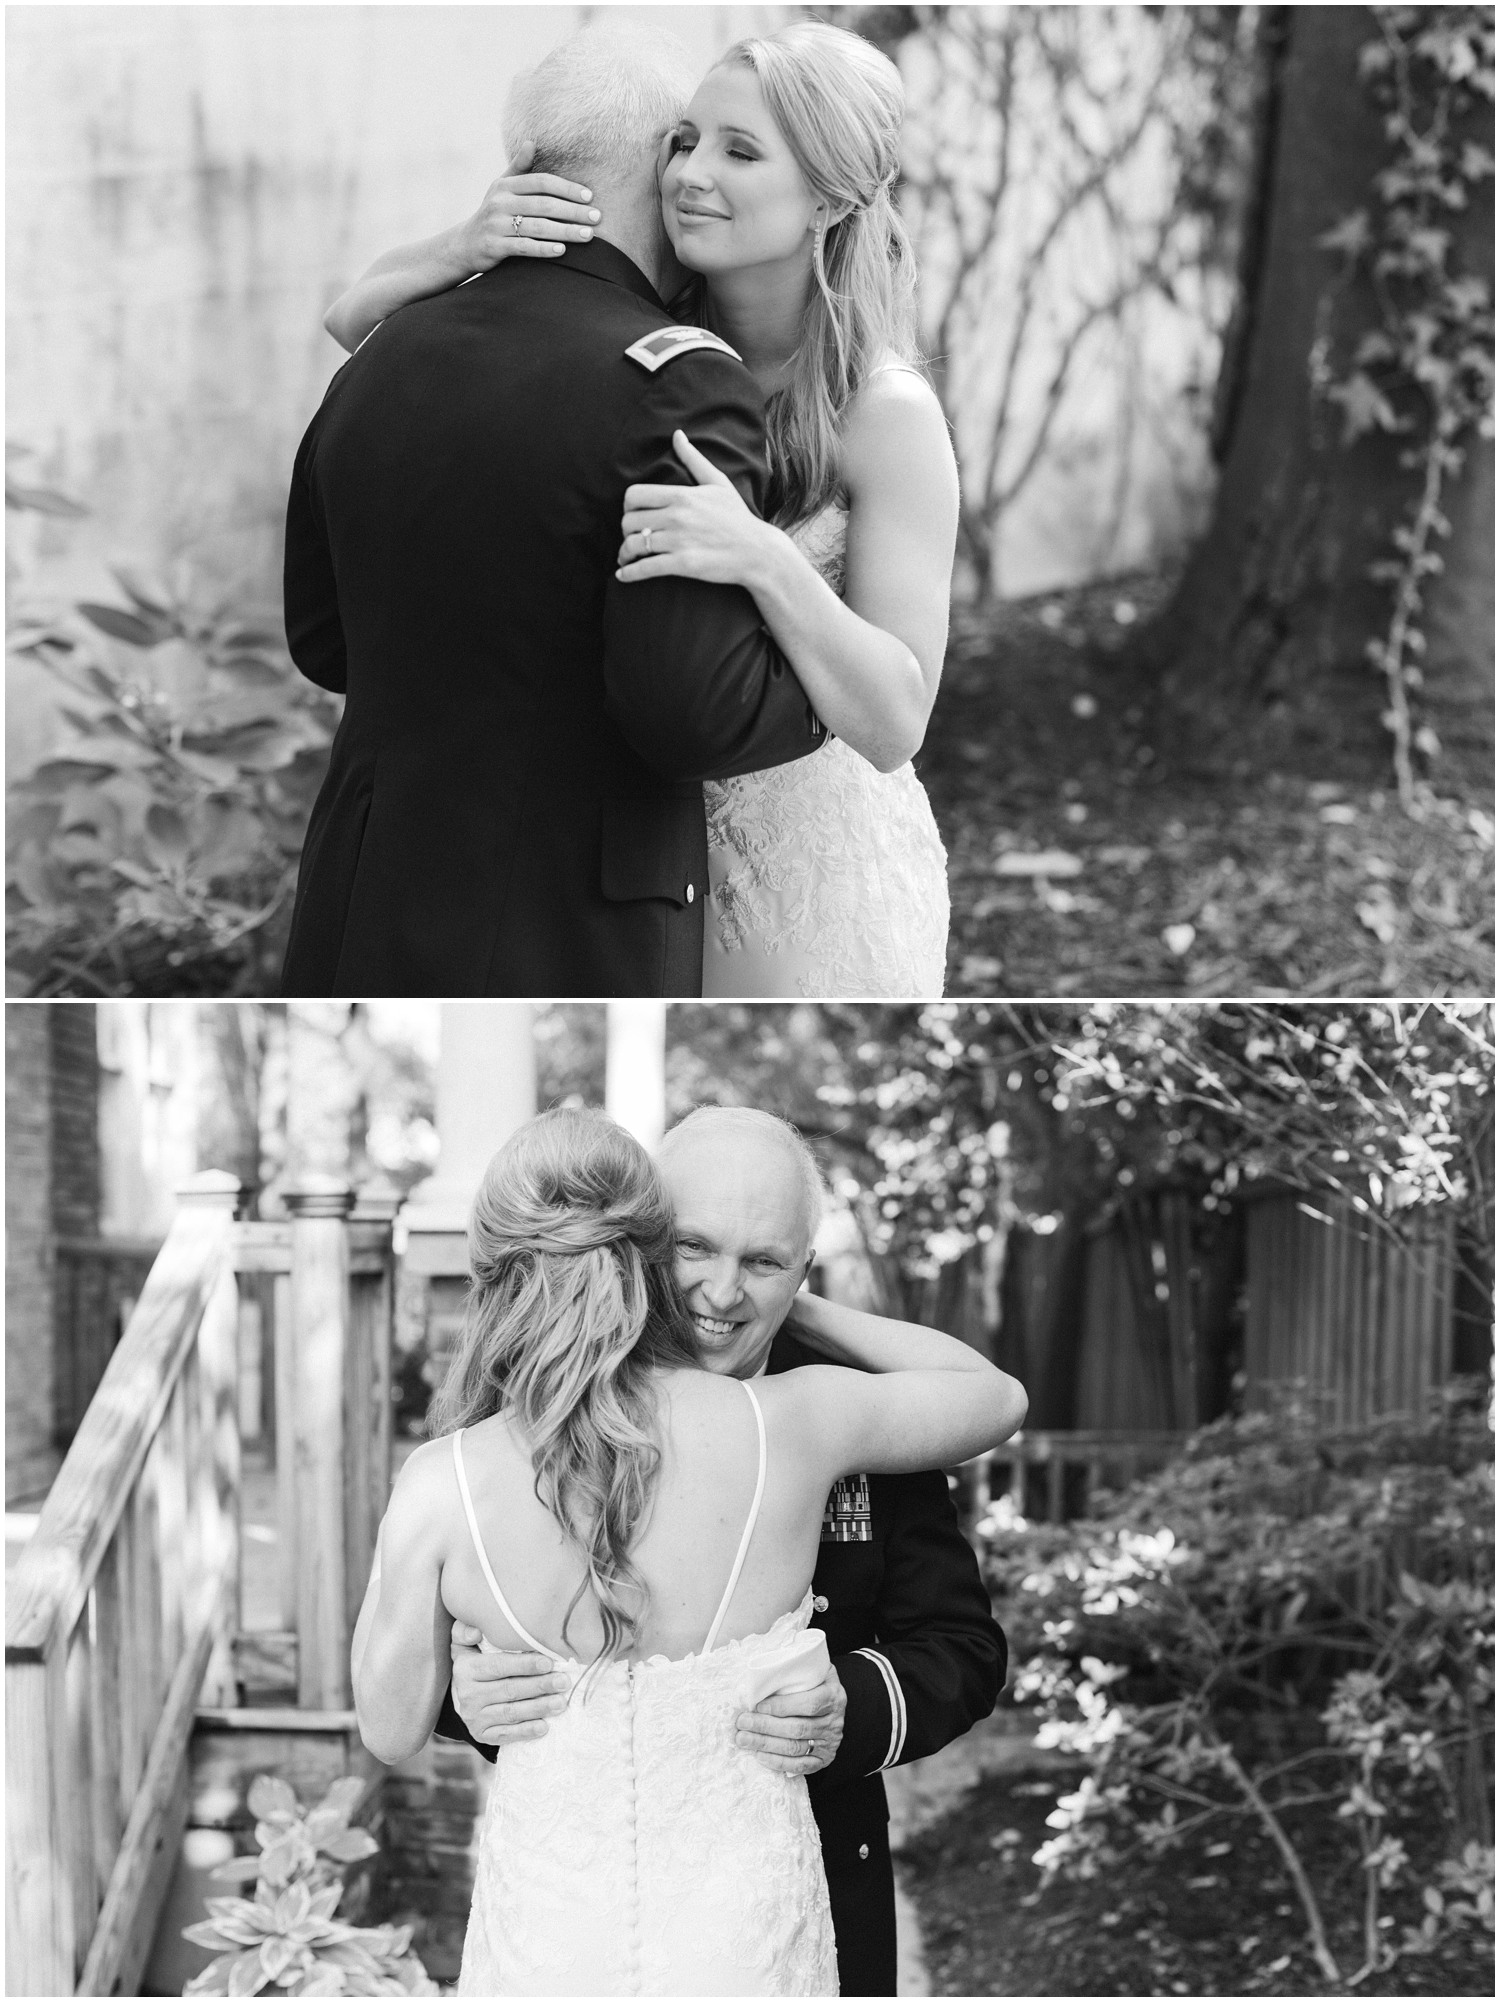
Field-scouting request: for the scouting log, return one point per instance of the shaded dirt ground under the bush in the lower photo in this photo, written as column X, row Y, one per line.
column 1215, row 1917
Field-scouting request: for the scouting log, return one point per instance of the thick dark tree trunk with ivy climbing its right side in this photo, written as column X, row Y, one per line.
column 1277, row 604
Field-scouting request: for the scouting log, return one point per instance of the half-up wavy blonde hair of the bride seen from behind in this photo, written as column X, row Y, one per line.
column 574, row 1306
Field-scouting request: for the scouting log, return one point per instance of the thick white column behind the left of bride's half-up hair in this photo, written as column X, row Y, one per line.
column 486, row 1088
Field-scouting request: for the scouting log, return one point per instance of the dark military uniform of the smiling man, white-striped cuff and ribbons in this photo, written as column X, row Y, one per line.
column 922, row 1661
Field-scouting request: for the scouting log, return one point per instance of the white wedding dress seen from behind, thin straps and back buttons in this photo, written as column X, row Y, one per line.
column 636, row 1851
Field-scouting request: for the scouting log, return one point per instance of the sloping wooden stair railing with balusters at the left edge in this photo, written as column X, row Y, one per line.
column 119, row 1615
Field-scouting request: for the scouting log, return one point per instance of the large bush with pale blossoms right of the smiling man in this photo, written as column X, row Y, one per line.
column 1281, row 1623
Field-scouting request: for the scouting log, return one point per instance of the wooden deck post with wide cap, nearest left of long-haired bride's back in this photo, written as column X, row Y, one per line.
column 321, row 1334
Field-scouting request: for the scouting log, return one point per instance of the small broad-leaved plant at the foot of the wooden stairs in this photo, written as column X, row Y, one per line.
column 287, row 1937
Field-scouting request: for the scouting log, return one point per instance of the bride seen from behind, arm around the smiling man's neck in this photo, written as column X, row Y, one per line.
column 654, row 1527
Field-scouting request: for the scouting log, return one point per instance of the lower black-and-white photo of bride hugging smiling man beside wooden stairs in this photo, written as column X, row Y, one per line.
column 614, row 1498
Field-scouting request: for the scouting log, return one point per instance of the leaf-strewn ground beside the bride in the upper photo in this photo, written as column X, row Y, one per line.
column 1253, row 874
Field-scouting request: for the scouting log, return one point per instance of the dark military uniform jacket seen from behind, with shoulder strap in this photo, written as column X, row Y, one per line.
column 514, row 802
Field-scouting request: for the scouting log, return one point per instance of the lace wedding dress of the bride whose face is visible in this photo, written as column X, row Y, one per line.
column 826, row 878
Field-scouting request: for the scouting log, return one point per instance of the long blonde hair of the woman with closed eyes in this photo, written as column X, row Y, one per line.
column 838, row 103
